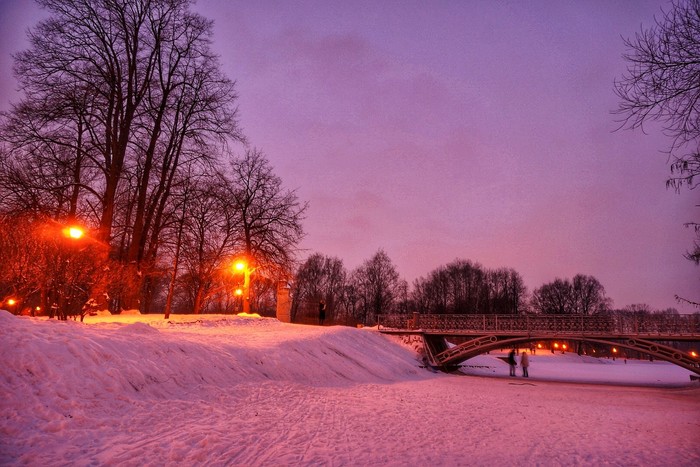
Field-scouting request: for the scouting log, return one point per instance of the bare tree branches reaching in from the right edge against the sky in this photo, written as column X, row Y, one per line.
column 661, row 84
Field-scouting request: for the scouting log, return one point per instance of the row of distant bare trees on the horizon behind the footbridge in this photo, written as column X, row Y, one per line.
column 460, row 287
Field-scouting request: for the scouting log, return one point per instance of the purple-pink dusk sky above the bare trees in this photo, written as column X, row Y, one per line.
column 442, row 130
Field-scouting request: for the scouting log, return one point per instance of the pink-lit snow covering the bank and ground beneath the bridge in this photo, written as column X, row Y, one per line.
column 215, row 390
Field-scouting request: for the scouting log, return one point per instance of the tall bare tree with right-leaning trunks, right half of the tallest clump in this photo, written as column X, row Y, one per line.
column 186, row 112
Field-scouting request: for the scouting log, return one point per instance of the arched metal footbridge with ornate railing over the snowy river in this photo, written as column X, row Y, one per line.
column 482, row 333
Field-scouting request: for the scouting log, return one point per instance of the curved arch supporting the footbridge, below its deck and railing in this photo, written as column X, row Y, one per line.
column 445, row 357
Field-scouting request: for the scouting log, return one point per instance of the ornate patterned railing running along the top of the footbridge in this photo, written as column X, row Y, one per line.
column 652, row 325
